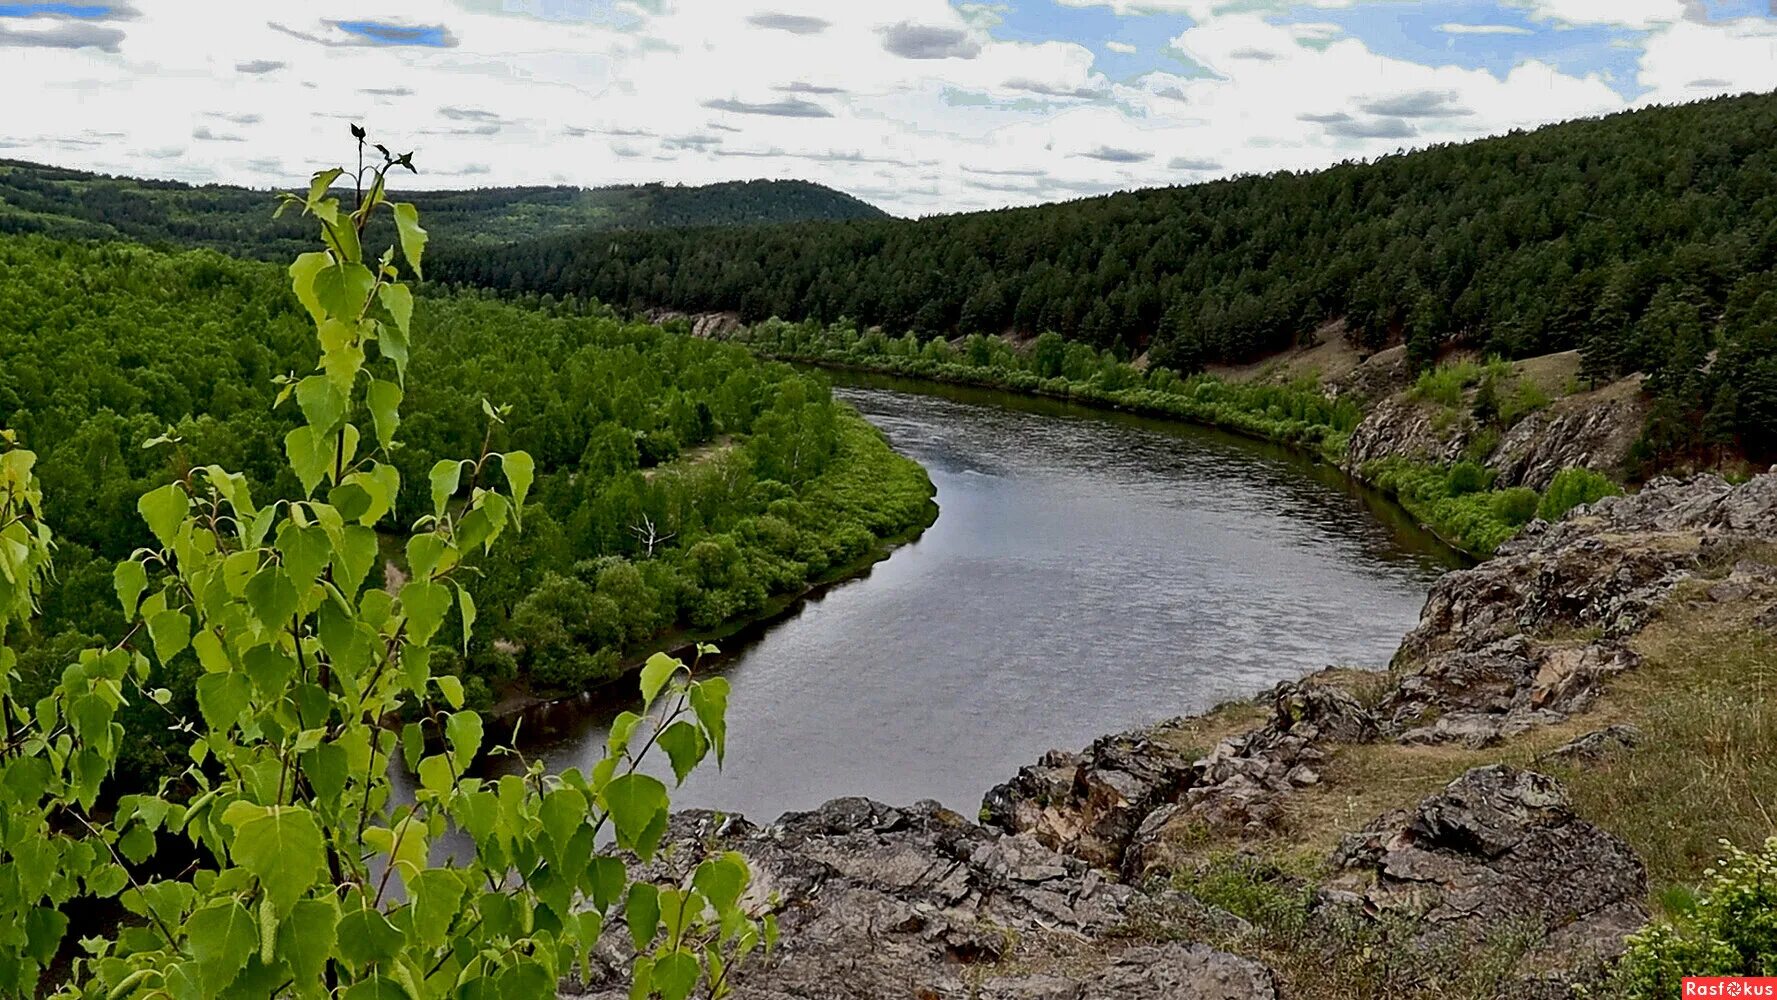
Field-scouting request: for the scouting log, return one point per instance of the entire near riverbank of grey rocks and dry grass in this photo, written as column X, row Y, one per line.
column 1552, row 761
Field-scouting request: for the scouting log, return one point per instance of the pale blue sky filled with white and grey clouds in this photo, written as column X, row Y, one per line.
column 916, row 106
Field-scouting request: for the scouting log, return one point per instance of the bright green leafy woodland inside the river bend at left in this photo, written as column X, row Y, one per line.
column 678, row 482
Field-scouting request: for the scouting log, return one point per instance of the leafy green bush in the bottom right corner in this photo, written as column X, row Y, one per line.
column 1730, row 930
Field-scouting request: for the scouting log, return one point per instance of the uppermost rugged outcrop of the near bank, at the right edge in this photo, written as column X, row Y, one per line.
column 1527, row 637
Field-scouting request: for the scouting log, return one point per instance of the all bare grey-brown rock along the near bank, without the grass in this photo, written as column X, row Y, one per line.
column 1065, row 893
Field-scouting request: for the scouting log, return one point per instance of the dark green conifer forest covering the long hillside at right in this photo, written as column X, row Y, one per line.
column 1648, row 241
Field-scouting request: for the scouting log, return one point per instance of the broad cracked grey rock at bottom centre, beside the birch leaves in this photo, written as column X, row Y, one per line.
column 918, row 903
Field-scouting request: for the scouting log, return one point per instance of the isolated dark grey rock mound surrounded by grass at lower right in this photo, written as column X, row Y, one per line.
column 1499, row 848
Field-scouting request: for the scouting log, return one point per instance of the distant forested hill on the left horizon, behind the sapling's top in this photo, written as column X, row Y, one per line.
column 235, row 221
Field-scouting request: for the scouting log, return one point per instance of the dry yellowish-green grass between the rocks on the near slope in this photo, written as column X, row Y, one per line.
column 1701, row 775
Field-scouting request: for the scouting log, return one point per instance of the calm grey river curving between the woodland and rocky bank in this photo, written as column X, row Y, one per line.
column 1088, row 573
